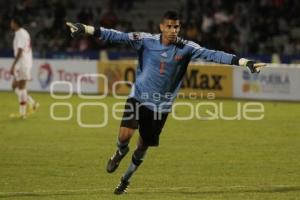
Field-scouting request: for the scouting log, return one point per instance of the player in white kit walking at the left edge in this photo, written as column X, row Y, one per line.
column 21, row 68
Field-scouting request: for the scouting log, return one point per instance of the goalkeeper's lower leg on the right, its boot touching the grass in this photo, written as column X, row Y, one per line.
column 137, row 159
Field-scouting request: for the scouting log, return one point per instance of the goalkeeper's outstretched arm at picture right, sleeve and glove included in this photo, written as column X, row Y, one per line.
column 198, row 52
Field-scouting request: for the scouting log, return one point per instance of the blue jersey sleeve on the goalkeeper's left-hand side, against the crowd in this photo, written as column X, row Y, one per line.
column 134, row 39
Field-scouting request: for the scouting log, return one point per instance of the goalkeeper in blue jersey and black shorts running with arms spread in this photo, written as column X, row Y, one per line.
column 163, row 60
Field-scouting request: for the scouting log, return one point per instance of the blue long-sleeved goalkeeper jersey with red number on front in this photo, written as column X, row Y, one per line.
column 160, row 68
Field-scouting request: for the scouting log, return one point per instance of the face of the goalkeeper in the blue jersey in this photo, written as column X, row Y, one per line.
column 170, row 30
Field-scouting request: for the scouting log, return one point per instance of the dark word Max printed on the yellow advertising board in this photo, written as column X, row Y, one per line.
column 196, row 80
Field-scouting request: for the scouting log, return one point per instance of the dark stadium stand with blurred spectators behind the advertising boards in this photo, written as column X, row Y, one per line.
column 224, row 25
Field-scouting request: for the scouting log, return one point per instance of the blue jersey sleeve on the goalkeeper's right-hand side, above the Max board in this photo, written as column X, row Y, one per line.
column 198, row 52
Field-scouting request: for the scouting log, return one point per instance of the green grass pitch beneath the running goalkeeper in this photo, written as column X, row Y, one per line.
column 41, row 158
